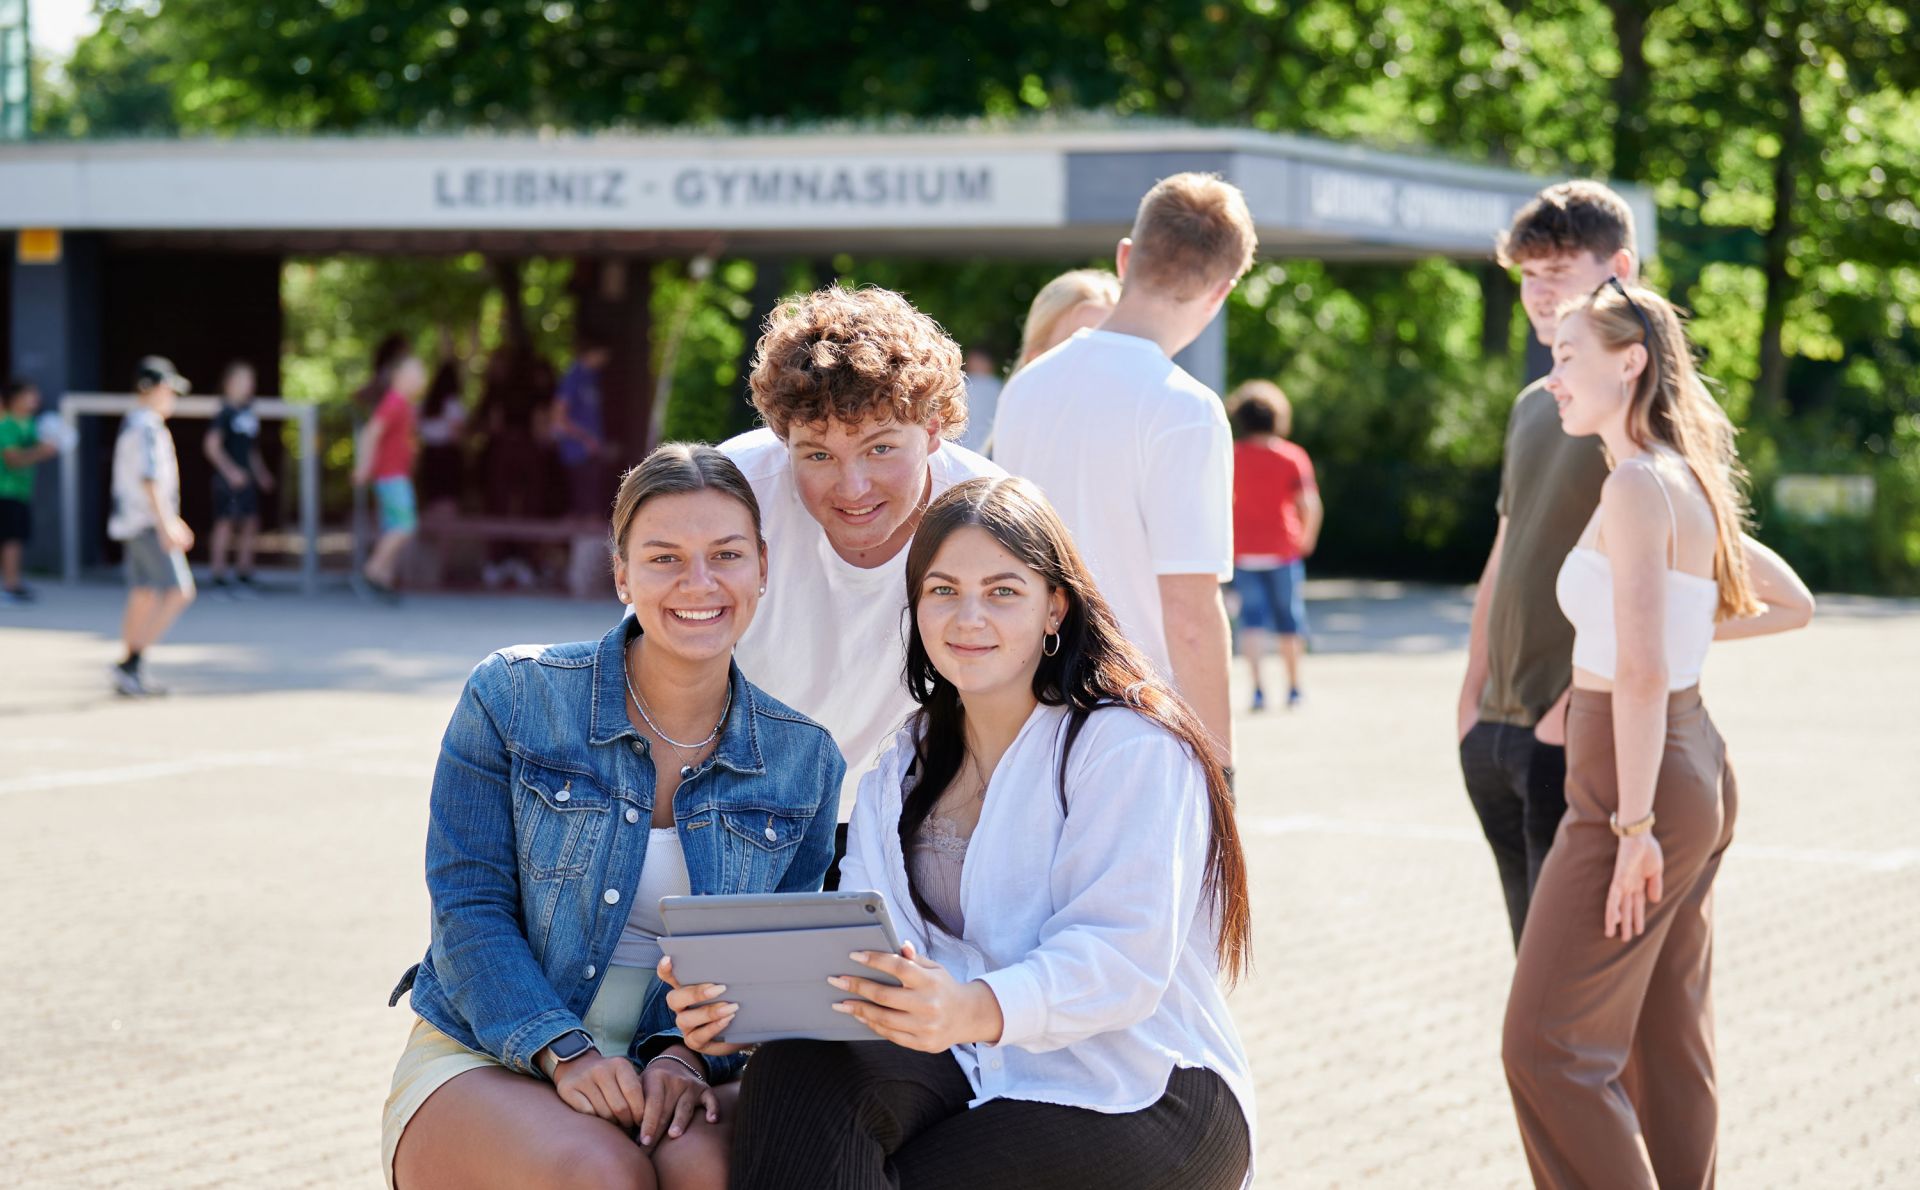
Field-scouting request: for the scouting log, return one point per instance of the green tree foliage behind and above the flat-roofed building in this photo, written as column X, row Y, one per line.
column 1783, row 141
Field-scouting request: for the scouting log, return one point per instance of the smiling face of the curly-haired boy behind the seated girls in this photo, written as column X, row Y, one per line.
column 865, row 483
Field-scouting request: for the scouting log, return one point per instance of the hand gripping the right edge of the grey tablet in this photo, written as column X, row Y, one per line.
column 928, row 1012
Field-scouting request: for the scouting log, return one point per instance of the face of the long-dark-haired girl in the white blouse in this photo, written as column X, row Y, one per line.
column 984, row 615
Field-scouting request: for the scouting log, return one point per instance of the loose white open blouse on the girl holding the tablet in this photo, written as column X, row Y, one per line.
column 1092, row 926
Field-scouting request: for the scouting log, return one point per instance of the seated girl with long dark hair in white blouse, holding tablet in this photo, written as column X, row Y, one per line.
column 1057, row 845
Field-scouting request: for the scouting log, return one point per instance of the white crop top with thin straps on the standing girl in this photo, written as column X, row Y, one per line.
column 1585, row 592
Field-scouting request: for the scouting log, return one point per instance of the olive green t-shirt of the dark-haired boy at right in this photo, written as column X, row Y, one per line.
column 1548, row 492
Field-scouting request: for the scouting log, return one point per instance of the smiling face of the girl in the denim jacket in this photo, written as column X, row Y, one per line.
column 692, row 569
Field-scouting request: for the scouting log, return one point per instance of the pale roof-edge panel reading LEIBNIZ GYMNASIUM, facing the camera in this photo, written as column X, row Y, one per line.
column 615, row 191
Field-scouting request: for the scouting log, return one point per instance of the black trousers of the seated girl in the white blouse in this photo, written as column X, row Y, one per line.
column 869, row 1116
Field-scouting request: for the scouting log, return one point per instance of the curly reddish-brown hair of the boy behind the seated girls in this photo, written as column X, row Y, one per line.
column 844, row 356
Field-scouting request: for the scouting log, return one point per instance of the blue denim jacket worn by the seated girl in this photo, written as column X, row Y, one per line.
column 539, row 832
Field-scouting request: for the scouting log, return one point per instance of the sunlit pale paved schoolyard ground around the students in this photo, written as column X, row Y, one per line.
column 208, row 897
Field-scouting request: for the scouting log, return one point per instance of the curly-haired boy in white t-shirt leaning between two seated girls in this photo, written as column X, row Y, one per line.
column 863, row 396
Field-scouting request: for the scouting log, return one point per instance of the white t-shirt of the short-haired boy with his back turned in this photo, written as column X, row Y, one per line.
column 1138, row 460
